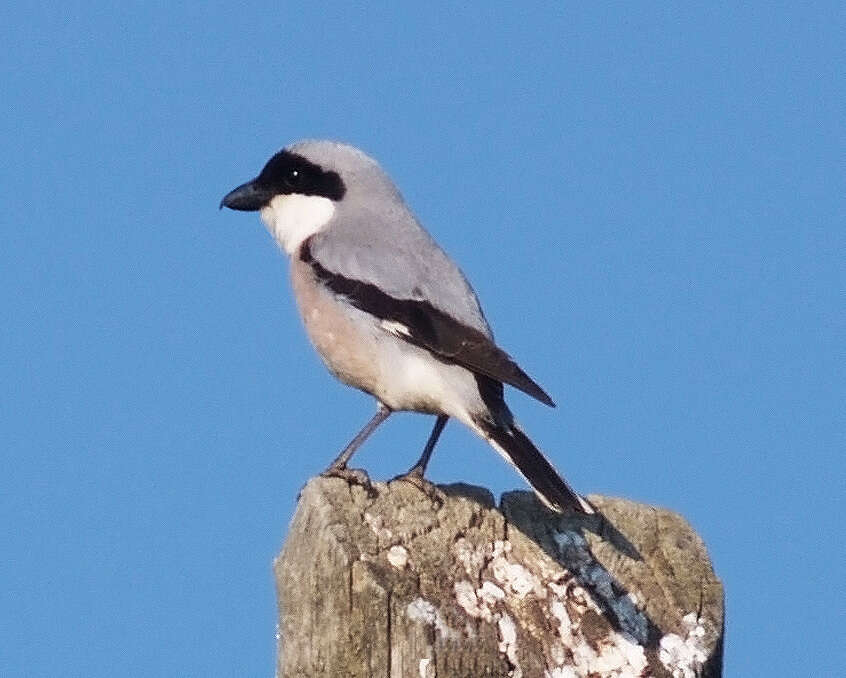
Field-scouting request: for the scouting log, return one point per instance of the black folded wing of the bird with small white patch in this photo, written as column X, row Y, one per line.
column 423, row 325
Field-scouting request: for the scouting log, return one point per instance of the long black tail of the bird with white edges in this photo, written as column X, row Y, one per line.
column 510, row 441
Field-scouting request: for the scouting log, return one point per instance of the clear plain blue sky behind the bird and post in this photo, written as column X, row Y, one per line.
column 649, row 202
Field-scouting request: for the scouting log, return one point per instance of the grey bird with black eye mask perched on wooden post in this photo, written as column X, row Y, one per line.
column 387, row 310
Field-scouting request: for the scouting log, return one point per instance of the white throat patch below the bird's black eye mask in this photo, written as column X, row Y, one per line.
column 291, row 219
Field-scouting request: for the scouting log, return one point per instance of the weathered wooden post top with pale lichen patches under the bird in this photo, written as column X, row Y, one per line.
column 398, row 582
